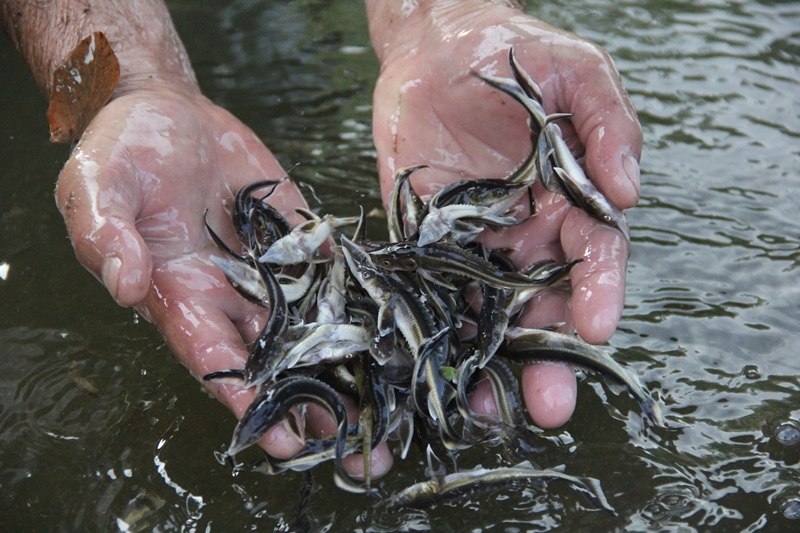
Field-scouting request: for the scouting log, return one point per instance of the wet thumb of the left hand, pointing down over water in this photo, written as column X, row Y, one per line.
column 99, row 206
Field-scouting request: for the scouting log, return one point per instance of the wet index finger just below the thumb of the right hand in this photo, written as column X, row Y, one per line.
column 598, row 283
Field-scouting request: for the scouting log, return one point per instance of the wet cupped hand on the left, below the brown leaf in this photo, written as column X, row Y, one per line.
column 133, row 195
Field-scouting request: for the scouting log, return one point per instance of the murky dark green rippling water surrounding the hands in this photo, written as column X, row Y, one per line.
column 97, row 417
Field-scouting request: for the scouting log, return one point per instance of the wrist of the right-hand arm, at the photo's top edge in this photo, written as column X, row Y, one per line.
column 395, row 25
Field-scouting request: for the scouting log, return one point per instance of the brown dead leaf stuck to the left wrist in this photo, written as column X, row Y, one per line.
column 81, row 87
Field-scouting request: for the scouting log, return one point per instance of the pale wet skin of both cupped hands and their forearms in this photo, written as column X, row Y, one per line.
column 159, row 154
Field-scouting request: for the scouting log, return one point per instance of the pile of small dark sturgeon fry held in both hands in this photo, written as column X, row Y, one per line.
column 393, row 324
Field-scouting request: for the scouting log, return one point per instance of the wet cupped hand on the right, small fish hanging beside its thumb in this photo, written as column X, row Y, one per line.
column 429, row 109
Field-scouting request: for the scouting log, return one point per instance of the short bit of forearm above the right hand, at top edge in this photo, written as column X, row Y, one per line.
column 391, row 20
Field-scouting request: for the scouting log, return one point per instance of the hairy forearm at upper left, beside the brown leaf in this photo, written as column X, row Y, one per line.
column 141, row 34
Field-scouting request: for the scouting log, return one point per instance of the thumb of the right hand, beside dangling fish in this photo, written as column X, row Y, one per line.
column 607, row 126
